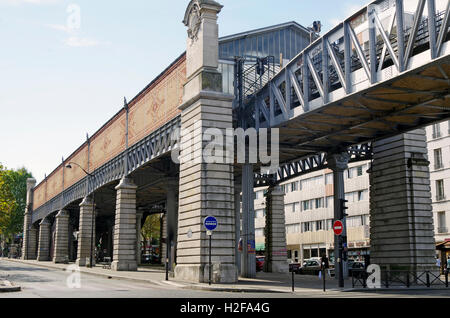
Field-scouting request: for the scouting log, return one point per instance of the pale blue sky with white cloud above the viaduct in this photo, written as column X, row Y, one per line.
column 65, row 66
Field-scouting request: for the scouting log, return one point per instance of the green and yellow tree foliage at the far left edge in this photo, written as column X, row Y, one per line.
column 13, row 192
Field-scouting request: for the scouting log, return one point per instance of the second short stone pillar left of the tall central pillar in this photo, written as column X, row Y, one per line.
column 85, row 242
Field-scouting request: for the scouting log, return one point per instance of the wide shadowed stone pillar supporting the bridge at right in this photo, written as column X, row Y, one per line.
column 401, row 219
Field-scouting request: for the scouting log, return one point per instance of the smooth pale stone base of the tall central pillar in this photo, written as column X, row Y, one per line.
column 222, row 273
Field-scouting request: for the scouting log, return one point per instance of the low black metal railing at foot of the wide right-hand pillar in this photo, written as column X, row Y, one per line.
column 402, row 279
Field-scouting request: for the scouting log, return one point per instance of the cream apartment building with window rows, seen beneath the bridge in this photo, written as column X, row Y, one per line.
column 309, row 214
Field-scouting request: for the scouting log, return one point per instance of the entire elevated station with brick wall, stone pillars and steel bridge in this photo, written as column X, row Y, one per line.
column 364, row 90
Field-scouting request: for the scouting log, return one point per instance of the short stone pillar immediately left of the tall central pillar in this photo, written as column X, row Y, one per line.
column 124, row 257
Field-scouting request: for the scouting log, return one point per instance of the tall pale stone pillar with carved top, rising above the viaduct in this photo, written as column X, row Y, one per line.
column 206, row 182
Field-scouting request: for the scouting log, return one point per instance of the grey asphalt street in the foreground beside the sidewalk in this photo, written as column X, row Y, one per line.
column 37, row 282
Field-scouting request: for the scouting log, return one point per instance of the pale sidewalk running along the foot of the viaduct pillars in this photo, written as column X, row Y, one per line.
column 263, row 283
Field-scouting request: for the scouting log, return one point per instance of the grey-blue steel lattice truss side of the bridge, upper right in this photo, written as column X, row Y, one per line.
column 339, row 64
